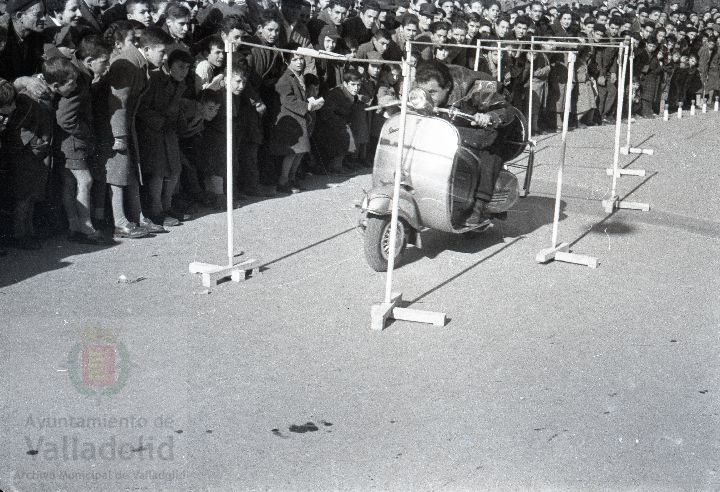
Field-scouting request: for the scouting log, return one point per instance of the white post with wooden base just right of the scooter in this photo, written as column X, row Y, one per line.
column 561, row 252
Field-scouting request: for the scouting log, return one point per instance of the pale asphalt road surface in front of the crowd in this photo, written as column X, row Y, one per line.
column 546, row 377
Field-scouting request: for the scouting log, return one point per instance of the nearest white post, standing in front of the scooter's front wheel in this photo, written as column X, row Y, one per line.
column 379, row 313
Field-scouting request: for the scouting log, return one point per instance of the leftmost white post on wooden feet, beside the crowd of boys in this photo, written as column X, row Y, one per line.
column 237, row 272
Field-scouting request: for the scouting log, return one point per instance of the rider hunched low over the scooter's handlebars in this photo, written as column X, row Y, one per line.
column 473, row 93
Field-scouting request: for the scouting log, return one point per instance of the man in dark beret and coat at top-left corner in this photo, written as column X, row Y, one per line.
column 21, row 54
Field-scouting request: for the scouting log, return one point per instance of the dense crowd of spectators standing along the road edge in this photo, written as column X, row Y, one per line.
column 113, row 115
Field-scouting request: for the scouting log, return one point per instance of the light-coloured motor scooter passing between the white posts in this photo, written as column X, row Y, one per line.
column 439, row 176
